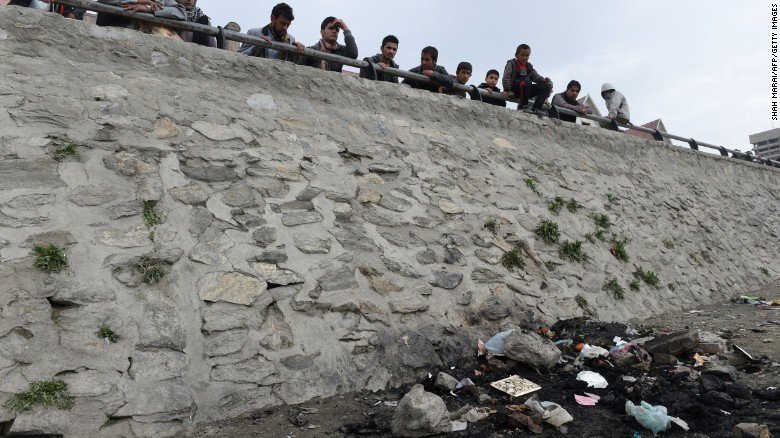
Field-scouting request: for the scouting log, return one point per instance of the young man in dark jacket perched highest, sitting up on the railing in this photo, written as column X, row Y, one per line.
column 523, row 82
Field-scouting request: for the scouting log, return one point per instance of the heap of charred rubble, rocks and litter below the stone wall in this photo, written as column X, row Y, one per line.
column 584, row 377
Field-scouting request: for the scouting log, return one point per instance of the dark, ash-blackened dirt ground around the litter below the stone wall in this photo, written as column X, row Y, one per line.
column 709, row 414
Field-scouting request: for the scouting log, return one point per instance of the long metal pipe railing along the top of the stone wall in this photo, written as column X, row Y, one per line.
column 474, row 92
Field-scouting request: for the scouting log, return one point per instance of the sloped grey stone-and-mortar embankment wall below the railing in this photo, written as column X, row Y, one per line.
column 259, row 233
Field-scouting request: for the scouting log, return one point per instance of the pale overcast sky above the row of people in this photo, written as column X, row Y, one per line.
column 703, row 67
